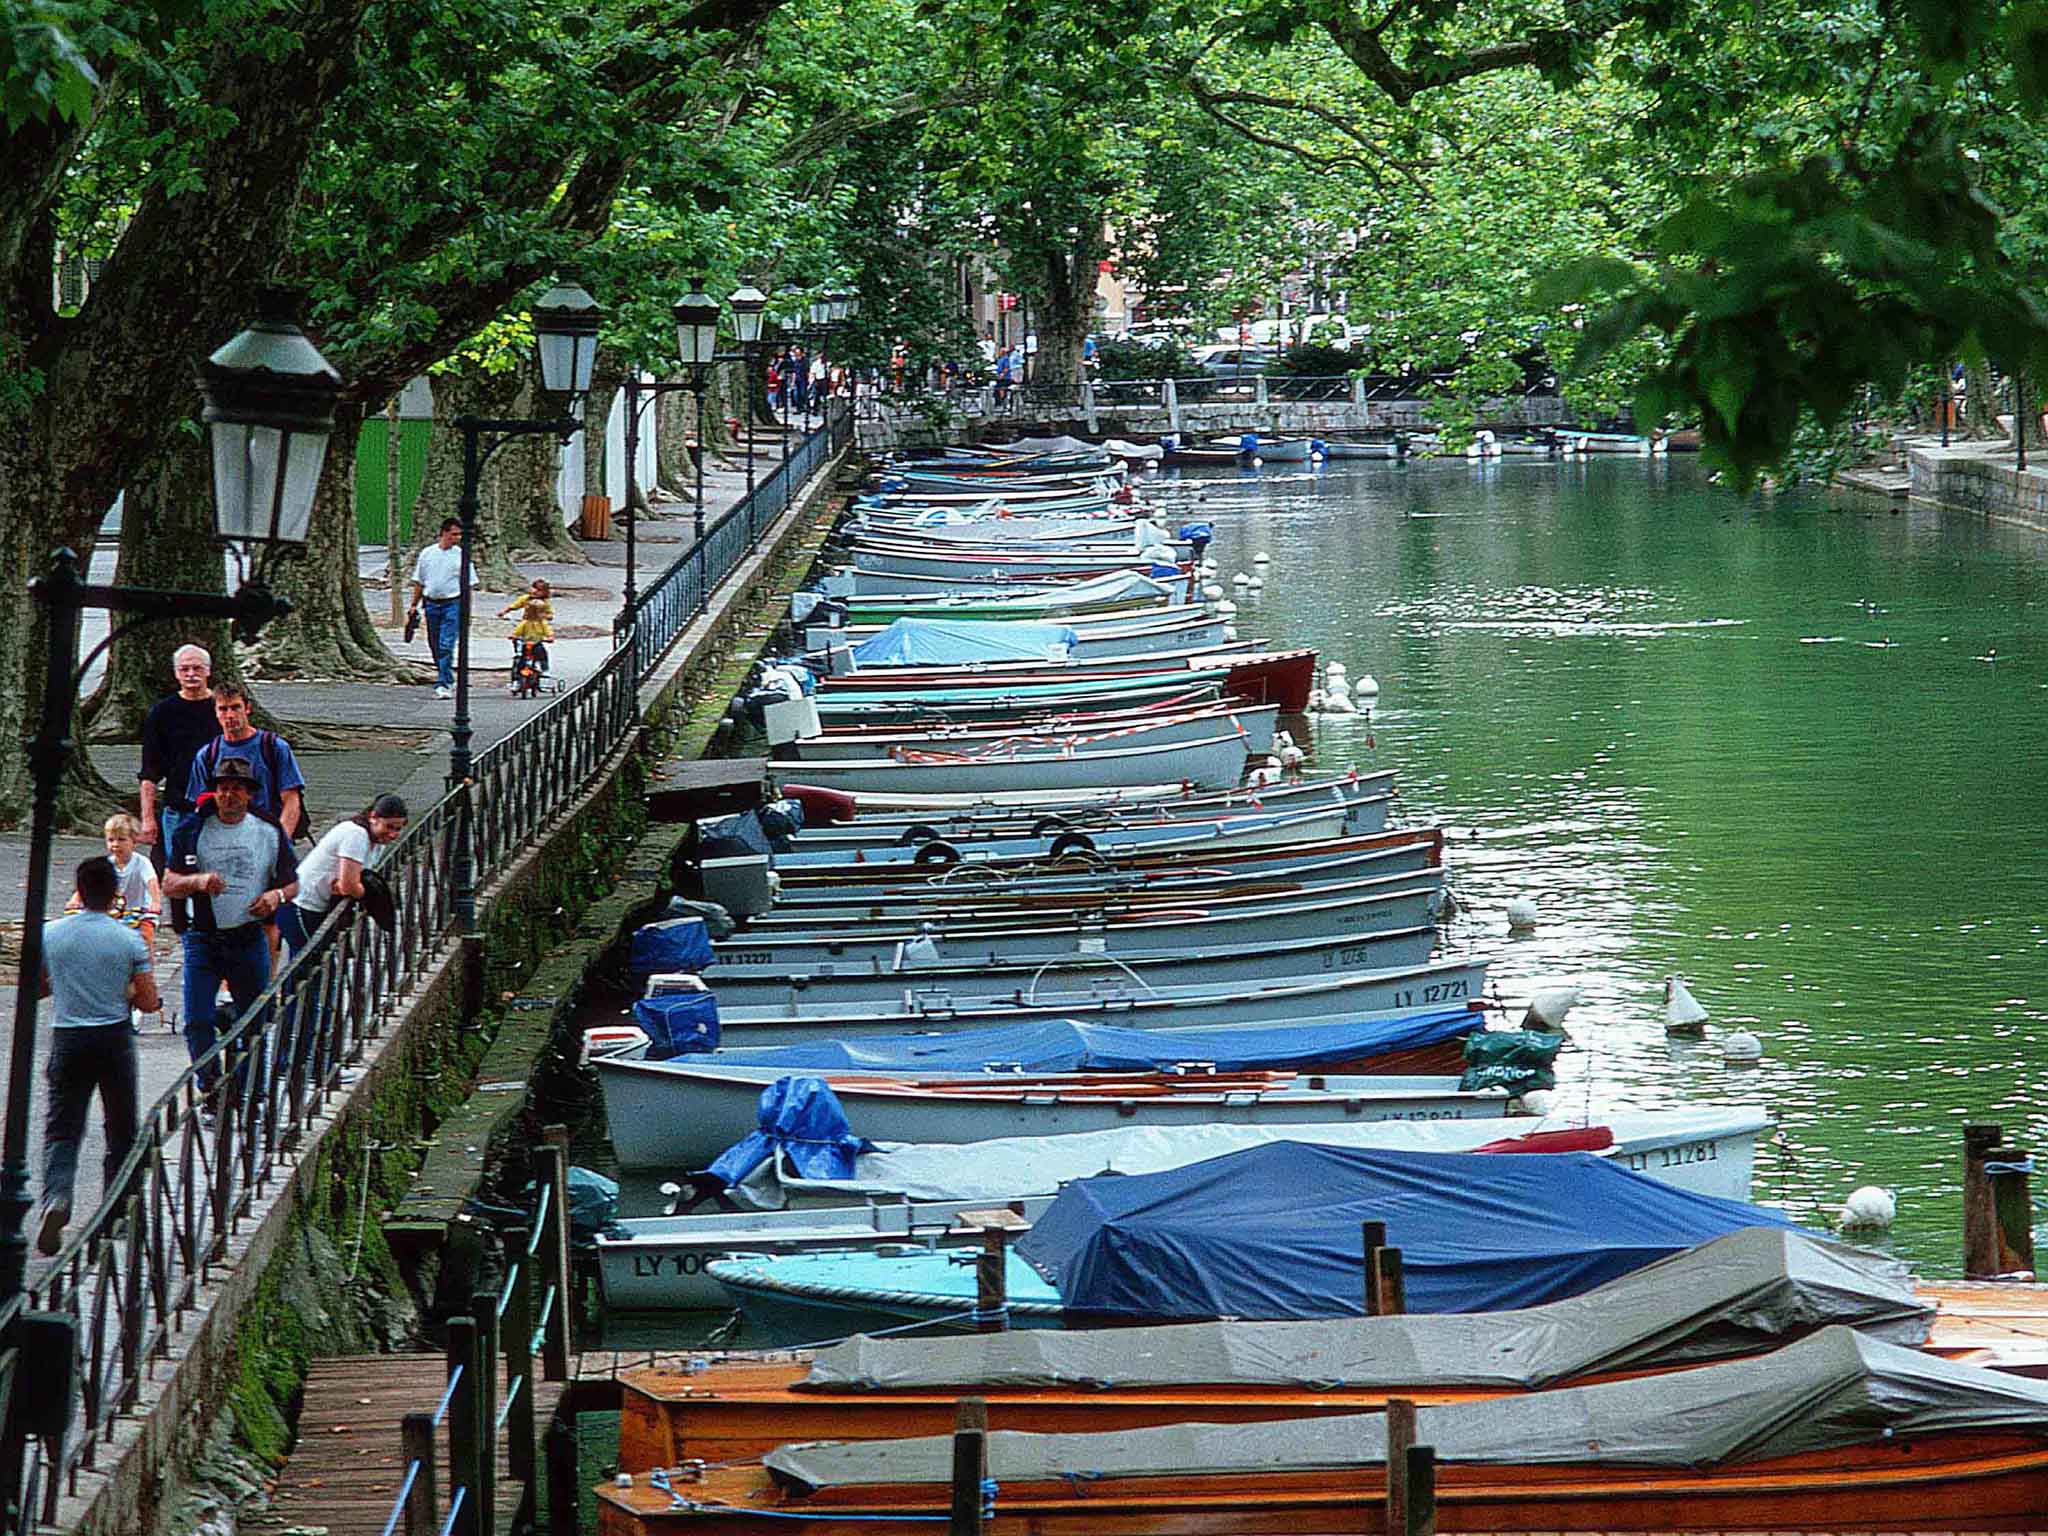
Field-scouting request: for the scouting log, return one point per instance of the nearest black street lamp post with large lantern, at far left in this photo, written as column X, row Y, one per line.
column 269, row 413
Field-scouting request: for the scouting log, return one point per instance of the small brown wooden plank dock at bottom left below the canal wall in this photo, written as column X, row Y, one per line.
column 347, row 1467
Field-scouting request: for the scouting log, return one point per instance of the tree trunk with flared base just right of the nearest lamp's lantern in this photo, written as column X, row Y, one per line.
column 329, row 634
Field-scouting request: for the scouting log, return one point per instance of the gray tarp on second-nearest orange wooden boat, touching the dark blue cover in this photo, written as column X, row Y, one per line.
column 1736, row 1295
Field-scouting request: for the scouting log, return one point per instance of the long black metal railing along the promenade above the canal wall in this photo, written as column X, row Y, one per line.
column 226, row 1132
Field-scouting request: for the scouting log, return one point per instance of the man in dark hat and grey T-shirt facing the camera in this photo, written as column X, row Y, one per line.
column 226, row 876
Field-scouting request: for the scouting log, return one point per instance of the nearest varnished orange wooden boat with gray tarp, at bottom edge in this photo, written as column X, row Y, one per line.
column 1832, row 1433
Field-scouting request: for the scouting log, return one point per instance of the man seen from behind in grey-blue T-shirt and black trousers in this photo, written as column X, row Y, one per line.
column 95, row 970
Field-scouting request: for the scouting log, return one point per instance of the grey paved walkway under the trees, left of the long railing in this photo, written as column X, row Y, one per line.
column 402, row 749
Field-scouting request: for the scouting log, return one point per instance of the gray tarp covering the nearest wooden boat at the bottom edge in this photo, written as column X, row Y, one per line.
column 1824, row 1394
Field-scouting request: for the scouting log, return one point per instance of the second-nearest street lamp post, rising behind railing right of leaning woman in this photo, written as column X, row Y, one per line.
column 566, row 335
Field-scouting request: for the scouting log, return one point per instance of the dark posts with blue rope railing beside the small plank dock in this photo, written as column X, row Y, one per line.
column 521, row 1324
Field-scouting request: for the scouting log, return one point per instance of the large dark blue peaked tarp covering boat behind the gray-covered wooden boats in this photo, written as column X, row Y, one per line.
column 1275, row 1232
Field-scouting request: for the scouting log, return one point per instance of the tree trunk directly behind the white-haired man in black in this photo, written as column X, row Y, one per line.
column 167, row 544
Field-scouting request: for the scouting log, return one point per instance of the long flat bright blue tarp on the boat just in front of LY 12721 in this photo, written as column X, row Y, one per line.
column 1064, row 1046
